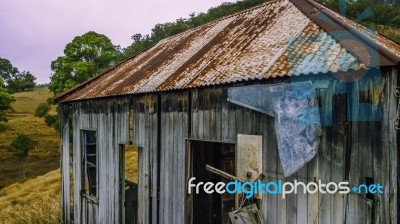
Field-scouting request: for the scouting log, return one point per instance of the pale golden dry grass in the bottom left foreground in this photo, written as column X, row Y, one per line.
column 34, row 201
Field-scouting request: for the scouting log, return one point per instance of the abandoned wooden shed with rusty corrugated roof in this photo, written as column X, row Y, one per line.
column 287, row 90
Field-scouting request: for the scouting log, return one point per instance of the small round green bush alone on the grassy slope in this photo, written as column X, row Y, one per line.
column 21, row 145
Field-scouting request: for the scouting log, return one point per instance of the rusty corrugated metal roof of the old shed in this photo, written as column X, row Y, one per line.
column 275, row 39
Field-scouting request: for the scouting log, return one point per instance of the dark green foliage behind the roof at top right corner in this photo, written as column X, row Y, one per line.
column 383, row 12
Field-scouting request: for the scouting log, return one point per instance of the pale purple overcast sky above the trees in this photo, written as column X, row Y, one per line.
column 34, row 33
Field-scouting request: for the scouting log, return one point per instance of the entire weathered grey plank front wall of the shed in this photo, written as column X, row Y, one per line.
column 349, row 150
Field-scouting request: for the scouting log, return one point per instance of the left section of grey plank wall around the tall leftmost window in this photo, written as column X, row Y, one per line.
column 110, row 119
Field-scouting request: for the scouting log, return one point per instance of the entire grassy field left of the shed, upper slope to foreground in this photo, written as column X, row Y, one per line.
column 30, row 188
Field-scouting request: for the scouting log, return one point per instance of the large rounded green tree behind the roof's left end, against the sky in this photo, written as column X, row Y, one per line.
column 85, row 57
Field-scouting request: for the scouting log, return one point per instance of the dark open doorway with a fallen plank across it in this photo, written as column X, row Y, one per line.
column 212, row 208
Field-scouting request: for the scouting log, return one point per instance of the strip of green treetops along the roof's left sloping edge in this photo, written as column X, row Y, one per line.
column 163, row 30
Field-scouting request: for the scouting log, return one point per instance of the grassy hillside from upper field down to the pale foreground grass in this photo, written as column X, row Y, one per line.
column 45, row 156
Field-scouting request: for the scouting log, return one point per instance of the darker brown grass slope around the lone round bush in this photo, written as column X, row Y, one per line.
column 42, row 159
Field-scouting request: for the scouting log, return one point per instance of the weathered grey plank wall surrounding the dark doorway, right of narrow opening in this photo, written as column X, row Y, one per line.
column 349, row 150
